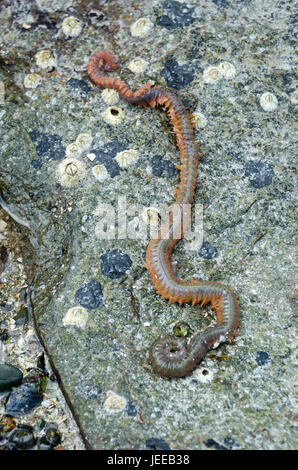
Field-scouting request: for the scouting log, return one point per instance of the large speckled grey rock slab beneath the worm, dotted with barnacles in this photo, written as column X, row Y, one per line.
column 241, row 396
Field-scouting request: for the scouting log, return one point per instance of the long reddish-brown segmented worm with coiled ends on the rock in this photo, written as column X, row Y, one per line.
column 171, row 356
